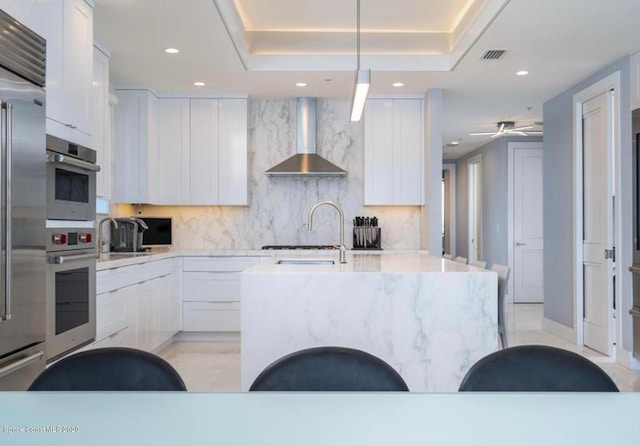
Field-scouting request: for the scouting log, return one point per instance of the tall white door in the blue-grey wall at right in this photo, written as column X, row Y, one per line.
column 597, row 130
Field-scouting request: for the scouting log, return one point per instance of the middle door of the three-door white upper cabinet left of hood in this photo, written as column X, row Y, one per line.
column 204, row 178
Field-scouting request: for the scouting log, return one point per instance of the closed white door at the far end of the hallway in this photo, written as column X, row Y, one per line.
column 527, row 274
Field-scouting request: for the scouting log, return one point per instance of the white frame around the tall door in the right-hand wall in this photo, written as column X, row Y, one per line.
column 609, row 83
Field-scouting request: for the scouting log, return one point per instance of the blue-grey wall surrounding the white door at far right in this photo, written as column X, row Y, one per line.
column 559, row 231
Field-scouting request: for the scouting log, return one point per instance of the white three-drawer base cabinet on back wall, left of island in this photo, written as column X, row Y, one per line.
column 211, row 292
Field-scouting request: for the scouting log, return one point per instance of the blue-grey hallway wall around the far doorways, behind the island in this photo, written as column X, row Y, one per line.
column 494, row 200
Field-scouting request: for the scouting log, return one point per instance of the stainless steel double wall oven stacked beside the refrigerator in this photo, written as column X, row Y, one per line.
column 71, row 246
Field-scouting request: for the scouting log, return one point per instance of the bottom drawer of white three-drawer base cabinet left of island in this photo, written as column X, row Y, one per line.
column 211, row 316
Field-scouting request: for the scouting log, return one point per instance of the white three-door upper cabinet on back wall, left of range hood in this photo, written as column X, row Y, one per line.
column 202, row 153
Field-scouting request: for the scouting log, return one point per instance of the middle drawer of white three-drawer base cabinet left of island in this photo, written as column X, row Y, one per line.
column 210, row 286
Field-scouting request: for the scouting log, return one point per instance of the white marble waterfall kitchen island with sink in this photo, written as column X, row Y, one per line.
column 431, row 319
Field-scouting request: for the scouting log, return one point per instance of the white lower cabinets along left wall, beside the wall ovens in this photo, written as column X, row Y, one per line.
column 138, row 306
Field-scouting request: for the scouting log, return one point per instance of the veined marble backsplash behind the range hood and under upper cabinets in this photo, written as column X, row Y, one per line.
column 279, row 206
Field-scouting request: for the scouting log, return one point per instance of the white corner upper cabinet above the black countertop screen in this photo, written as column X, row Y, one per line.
column 136, row 147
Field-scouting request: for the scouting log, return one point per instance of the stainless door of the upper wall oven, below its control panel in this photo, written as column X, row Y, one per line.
column 71, row 188
